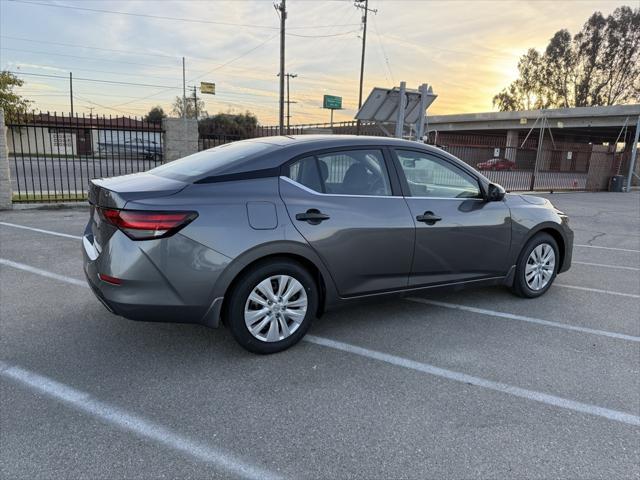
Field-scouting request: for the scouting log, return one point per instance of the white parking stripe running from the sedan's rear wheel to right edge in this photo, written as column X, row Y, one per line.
column 534, row 395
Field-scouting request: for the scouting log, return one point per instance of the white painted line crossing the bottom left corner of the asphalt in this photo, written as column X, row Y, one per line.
column 133, row 423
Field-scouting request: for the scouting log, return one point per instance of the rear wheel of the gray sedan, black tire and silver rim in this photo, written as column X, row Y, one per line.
column 272, row 306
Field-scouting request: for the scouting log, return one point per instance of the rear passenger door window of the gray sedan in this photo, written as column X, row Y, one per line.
column 351, row 172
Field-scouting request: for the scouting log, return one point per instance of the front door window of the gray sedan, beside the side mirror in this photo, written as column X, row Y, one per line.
column 429, row 176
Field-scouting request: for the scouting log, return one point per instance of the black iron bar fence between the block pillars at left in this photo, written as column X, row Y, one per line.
column 52, row 157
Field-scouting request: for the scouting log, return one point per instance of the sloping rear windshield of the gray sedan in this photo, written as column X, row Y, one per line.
column 215, row 161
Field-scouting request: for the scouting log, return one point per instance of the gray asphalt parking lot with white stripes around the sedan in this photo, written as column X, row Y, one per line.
column 467, row 384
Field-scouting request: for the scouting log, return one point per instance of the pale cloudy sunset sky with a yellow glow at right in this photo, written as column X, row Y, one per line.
column 466, row 50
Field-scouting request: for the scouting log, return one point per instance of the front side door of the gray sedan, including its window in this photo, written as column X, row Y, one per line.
column 459, row 235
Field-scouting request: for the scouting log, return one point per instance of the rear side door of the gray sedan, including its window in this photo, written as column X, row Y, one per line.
column 353, row 214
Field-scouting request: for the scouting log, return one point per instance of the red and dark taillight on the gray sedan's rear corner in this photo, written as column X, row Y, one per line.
column 146, row 225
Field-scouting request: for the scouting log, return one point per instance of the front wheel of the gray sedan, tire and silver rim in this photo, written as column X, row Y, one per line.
column 537, row 266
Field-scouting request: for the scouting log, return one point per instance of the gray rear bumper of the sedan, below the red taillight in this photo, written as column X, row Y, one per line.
column 146, row 293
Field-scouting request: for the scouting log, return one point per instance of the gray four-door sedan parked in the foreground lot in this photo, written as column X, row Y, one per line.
column 264, row 235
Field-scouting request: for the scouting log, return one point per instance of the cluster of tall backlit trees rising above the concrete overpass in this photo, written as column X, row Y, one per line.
column 600, row 65
